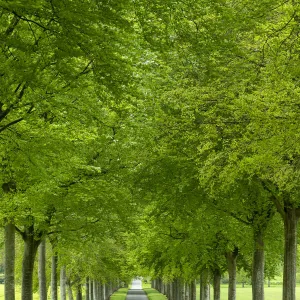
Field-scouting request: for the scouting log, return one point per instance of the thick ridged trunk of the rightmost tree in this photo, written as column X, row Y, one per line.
column 290, row 253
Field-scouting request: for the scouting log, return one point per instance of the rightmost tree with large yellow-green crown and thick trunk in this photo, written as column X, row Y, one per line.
column 238, row 68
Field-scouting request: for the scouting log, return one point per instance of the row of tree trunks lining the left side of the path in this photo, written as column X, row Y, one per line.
column 94, row 290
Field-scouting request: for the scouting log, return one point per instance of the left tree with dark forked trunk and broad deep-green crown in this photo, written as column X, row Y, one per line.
column 49, row 53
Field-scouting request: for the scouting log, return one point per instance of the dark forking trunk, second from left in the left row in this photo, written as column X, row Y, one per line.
column 30, row 249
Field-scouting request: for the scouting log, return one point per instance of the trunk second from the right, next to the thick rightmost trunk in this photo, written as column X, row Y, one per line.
column 258, row 267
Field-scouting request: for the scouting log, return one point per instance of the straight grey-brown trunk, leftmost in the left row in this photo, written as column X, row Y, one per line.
column 9, row 263
